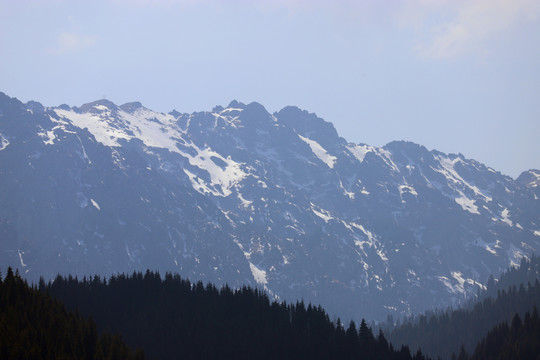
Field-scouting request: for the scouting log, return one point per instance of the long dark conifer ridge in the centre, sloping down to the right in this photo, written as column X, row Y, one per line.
column 173, row 318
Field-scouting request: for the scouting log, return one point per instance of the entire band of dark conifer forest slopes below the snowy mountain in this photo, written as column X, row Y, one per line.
column 173, row 318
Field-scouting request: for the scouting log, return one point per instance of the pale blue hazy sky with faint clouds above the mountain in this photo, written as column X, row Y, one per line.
column 456, row 76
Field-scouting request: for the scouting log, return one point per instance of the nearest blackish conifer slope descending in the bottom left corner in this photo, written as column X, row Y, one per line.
column 35, row 326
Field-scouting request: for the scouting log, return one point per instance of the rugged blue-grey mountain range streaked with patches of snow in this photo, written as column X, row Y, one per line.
column 242, row 196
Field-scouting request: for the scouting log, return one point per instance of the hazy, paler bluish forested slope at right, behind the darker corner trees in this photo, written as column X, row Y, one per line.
column 441, row 333
